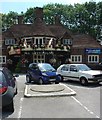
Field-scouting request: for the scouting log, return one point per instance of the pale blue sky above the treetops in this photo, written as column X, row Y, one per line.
column 13, row 5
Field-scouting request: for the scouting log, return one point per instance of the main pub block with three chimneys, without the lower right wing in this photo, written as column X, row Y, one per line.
column 37, row 42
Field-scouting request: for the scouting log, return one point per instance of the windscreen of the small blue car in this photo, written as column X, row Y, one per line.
column 46, row 67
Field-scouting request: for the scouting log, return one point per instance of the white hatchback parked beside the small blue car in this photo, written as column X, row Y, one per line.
column 79, row 72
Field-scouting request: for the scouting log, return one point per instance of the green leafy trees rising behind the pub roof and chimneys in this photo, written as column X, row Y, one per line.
column 82, row 18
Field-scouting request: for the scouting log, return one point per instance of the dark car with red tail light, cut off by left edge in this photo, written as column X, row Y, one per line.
column 8, row 88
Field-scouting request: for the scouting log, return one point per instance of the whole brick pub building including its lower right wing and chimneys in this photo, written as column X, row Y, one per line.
column 23, row 44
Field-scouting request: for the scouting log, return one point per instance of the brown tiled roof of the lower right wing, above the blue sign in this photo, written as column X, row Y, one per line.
column 84, row 41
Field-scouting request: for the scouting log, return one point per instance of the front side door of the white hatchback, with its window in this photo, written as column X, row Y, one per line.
column 73, row 73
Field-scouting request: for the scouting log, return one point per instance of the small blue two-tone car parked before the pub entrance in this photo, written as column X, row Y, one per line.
column 42, row 73
